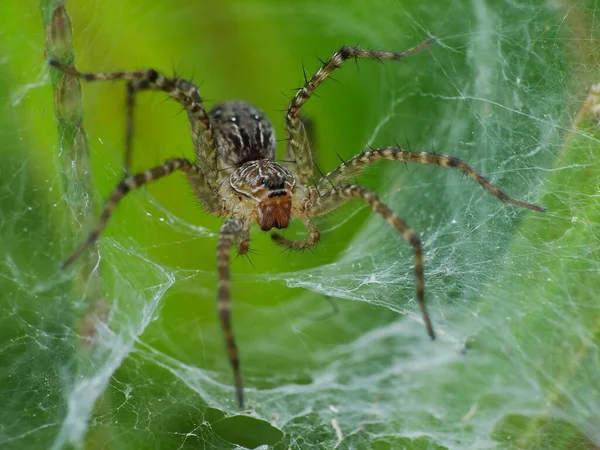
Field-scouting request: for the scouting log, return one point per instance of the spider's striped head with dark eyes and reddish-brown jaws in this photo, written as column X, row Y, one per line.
column 270, row 185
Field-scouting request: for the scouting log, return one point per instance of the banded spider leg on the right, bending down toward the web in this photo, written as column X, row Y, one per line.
column 337, row 197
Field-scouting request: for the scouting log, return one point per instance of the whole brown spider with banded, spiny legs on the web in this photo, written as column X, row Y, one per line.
column 235, row 174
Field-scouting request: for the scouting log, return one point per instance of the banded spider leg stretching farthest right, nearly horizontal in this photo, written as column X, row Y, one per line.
column 354, row 166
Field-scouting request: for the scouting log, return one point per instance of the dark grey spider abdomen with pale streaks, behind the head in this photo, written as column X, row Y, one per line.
column 242, row 133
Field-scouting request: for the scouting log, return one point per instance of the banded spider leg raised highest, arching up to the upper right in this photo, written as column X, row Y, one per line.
column 298, row 141
